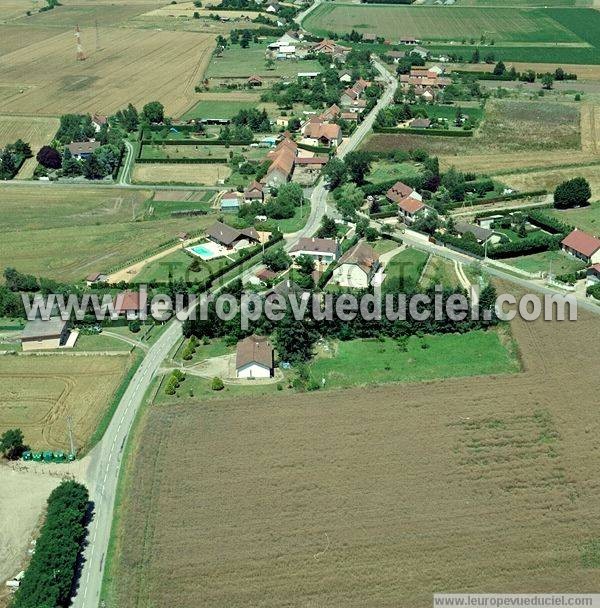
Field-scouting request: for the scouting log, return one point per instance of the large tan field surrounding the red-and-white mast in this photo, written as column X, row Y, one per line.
column 118, row 73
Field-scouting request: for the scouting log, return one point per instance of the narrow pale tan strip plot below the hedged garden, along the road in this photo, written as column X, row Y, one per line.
column 207, row 175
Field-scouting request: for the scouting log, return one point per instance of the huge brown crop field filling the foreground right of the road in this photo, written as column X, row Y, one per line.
column 372, row 497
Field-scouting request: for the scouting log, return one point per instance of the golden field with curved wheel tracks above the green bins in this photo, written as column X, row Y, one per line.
column 38, row 393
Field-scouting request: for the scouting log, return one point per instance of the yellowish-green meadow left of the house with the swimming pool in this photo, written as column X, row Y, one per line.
column 66, row 233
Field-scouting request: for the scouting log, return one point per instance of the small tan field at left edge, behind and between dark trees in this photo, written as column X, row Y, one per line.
column 36, row 131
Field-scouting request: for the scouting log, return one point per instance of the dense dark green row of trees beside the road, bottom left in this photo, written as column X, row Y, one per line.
column 49, row 578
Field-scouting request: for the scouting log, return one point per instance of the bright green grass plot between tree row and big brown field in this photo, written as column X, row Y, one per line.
column 443, row 356
